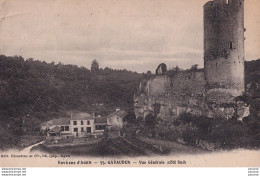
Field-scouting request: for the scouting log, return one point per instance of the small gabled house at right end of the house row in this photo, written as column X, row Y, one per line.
column 116, row 119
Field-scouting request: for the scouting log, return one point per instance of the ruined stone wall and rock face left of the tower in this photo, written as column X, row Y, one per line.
column 181, row 92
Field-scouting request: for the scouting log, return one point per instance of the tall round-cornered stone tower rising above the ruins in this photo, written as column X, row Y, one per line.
column 224, row 49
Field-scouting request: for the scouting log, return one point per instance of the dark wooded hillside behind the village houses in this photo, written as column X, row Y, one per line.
column 33, row 91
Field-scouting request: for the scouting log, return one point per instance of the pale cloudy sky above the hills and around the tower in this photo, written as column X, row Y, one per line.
column 135, row 35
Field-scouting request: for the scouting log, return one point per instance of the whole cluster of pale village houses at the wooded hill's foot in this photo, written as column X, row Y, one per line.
column 84, row 124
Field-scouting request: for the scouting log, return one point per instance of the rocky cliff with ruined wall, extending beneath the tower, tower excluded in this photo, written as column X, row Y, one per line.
column 167, row 97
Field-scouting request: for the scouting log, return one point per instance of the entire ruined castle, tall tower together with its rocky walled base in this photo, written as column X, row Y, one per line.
column 214, row 91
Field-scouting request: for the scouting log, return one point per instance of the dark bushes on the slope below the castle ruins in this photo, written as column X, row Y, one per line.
column 227, row 134
